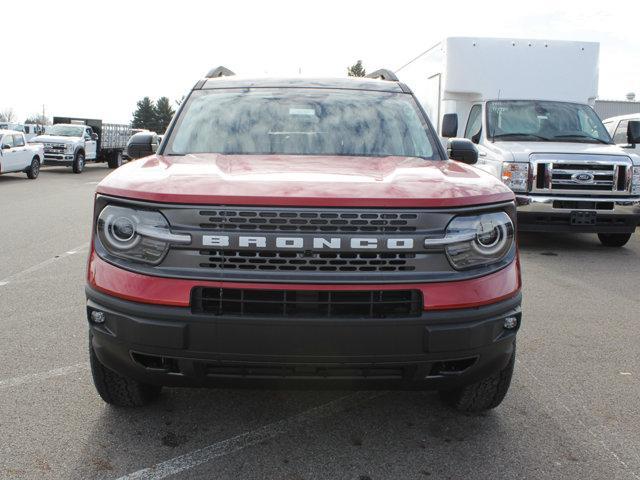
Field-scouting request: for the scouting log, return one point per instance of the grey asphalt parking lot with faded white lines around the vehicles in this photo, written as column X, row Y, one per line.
column 573, row 410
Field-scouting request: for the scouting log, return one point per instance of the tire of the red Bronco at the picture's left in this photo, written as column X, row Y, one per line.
column 117, row 389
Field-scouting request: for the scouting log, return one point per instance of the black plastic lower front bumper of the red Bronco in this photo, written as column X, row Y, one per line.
column 173, row 346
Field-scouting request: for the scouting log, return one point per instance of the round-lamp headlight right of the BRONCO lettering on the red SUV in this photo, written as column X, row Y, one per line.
column 476, row 241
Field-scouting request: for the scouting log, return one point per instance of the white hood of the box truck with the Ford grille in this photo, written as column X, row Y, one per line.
column 520, row 151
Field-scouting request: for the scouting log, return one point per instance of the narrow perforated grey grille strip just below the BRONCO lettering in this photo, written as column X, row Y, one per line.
column 308, row 261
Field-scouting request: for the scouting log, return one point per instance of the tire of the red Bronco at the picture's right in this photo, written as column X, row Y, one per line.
column 483, row 395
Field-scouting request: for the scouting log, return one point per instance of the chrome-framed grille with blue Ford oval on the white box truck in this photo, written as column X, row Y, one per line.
column 608, row 176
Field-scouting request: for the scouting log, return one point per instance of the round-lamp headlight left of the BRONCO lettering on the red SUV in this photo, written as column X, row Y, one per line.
column 139, row 235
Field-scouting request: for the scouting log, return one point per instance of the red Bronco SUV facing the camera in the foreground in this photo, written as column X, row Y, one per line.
column 302, row 231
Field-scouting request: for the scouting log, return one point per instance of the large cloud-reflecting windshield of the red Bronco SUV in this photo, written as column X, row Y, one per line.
column 302, row 122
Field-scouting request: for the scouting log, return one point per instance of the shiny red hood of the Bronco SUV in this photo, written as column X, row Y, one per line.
column 304, row 181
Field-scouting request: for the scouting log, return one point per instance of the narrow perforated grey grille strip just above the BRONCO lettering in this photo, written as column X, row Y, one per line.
column 273, row 220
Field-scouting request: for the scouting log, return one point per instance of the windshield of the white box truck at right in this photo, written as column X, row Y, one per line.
column 513, row 120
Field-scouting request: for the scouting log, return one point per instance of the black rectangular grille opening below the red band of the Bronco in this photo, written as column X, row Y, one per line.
column 307, row 303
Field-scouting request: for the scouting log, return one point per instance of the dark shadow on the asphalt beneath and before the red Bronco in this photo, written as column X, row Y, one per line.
column 395, row 434
